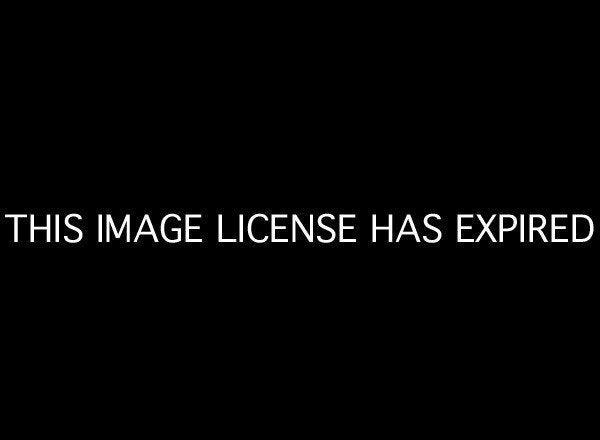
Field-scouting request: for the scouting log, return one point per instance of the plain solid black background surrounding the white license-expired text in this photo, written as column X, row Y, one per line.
column 368, row 113
